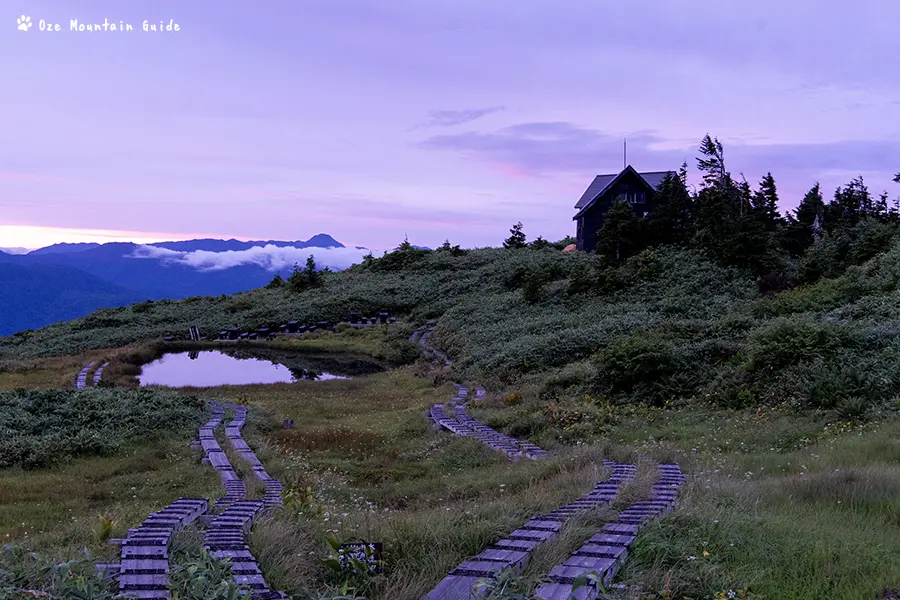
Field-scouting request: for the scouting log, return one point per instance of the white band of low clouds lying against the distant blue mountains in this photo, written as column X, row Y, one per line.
column 271, row 258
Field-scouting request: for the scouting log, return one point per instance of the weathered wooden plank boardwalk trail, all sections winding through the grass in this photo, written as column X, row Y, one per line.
column 144, row 568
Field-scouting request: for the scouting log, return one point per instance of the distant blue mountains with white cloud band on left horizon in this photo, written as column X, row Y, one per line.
column 67, row 281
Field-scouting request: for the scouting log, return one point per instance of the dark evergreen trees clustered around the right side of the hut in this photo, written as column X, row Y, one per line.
column 742, row 227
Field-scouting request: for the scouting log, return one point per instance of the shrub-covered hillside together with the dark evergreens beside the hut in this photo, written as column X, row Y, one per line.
column 714, row 296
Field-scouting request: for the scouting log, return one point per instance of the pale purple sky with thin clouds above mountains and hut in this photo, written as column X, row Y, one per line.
column 437, row 119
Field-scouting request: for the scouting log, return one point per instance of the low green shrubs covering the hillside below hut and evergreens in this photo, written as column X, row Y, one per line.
column 665, row 325
